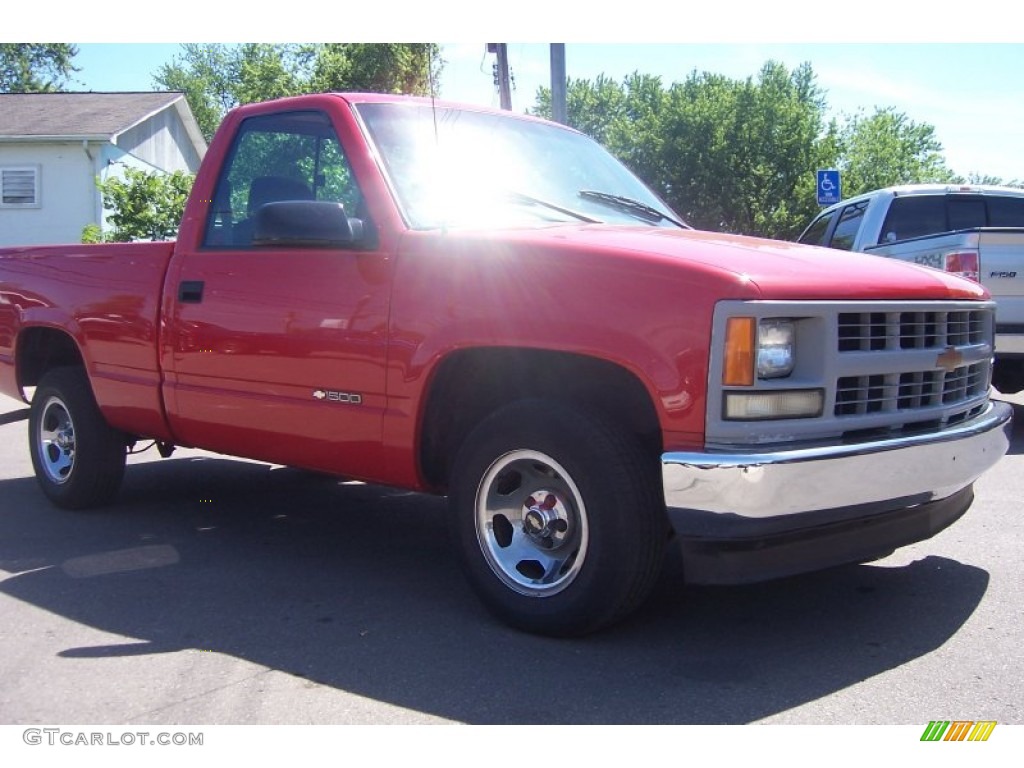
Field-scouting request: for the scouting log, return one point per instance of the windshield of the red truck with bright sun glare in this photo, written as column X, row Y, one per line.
column 453, row 167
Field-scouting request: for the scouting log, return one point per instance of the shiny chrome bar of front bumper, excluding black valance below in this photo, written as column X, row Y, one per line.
column 903, row 472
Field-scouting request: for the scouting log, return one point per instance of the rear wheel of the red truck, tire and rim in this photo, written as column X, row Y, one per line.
column 78, row 458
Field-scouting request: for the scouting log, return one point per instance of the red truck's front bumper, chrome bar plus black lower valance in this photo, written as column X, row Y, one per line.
column 750, row 518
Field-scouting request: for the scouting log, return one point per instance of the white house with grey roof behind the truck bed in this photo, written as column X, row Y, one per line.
column 54, row 147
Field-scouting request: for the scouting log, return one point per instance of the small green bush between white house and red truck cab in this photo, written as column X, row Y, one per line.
column 143, row 206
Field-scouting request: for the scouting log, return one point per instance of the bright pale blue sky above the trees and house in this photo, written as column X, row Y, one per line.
column 973, row 94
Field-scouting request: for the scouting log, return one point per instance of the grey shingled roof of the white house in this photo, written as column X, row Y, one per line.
column 78, row 115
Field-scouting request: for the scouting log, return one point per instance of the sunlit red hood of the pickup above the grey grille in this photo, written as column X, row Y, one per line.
column 759, row 269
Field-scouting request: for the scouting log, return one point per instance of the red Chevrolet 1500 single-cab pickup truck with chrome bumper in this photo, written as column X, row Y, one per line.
column 489, row 307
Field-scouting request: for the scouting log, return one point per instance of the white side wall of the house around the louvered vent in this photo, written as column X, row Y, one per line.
column 68, row 194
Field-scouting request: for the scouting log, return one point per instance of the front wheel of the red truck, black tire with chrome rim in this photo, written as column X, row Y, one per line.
column 561, row 519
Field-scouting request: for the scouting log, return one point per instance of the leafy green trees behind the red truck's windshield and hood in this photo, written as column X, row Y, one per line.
column 741, row 155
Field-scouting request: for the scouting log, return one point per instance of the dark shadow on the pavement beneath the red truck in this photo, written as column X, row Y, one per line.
column 356, row 588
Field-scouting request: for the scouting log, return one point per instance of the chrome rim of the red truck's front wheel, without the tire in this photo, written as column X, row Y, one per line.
column 532, row 524
